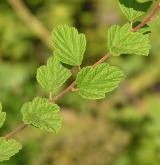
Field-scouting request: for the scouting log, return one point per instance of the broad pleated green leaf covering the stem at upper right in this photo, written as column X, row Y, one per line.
column 122, row 41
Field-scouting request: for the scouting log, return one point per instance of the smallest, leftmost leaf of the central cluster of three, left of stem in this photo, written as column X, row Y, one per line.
column 52, row 76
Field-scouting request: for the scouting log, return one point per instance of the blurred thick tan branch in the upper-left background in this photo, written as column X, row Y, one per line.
column 35, row 25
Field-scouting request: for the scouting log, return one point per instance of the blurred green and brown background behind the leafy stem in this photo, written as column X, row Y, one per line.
column 122, row 129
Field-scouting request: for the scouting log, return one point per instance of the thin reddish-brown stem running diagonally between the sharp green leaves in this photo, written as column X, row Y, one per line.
column 72, row 85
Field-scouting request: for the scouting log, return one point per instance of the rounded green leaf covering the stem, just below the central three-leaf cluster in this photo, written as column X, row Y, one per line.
column 42, row 114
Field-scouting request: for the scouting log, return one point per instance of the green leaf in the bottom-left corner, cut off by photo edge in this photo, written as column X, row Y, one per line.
column 8, row 148
